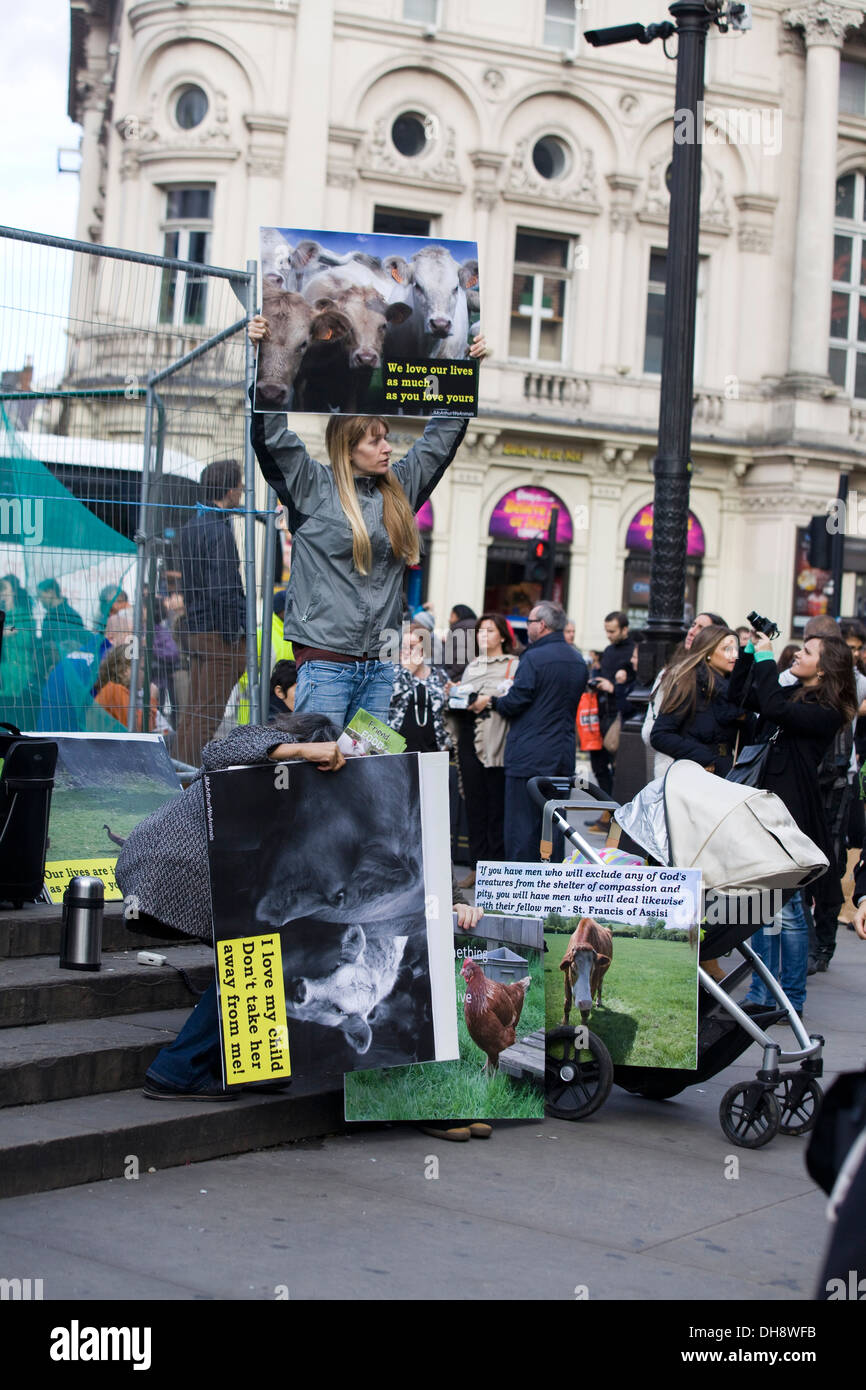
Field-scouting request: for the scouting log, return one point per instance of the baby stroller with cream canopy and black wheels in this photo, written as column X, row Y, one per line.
column 678, row 821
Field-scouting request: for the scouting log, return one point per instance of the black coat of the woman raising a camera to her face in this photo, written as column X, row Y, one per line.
column 807, row 732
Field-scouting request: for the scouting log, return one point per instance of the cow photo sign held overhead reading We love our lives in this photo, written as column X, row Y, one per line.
column 368, row 325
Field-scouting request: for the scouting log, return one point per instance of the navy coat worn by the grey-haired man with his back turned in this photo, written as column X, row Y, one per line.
column 543, row 708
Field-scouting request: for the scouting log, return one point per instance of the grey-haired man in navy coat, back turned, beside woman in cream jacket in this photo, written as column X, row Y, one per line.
column 543, row 710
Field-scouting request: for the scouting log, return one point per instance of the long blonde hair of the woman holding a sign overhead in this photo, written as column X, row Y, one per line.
column 344, row 433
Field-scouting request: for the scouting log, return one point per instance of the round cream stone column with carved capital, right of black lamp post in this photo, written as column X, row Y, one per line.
column 825, row 26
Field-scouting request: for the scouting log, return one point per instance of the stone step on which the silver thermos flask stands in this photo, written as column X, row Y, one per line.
column 37, row 990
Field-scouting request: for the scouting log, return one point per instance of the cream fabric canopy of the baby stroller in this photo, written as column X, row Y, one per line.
column 740, row 837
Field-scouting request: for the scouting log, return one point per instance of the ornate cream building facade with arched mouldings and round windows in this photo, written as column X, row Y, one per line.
column 493, row 120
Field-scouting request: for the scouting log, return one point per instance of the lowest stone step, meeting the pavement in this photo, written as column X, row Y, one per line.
column 94, row 1138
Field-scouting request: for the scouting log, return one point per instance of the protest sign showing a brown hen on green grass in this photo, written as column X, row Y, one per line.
column 500, row 985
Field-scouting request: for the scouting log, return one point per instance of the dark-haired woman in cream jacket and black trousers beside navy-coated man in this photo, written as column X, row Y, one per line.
column 482, row 742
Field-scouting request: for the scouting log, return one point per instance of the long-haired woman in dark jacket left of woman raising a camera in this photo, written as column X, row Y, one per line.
column 697, row 719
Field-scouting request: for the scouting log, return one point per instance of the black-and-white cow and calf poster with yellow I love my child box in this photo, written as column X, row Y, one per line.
column 332, row 904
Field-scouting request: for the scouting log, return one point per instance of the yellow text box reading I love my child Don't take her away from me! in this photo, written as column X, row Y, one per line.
column 252, row 1007
